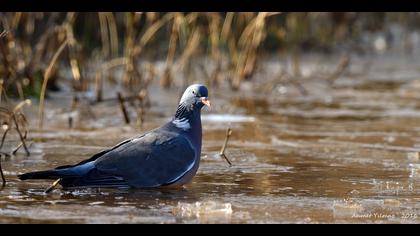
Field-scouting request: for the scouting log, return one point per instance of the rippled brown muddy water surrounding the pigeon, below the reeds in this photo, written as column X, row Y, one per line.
column 345, row 153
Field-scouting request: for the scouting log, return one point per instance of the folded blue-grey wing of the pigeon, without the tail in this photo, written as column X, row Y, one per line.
column 154, row 159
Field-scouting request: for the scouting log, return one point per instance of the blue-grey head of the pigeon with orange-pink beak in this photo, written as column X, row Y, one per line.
column 195, row 96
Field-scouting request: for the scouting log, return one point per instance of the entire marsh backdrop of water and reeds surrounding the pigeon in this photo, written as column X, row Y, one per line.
column 324, row 109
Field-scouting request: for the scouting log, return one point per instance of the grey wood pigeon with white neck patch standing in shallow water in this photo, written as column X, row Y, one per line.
column 165, row 156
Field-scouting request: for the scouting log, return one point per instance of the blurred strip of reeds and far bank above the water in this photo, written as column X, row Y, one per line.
column 172, row 48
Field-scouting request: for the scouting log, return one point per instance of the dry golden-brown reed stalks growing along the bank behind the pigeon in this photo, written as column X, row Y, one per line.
column 232, row 41
